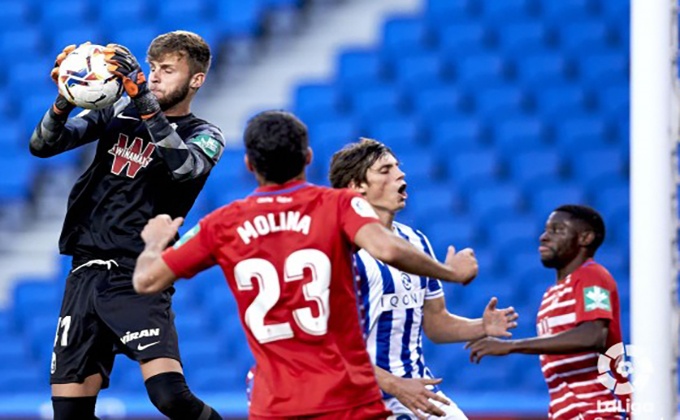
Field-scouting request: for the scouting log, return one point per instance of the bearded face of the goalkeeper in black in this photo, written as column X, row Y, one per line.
column 170, row 80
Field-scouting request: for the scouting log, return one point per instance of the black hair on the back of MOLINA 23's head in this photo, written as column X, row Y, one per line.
column 276, row 145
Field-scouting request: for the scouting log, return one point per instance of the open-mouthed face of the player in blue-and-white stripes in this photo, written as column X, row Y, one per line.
column 385, row 188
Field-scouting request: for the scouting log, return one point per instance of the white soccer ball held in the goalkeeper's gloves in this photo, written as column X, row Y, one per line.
column 85, row 81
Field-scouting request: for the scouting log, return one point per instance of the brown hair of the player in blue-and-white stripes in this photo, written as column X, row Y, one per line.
column 352, row 162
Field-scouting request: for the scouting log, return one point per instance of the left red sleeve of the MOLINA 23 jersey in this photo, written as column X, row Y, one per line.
column 193, row 252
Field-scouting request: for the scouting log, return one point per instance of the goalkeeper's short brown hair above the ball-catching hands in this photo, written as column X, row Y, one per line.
column 185, row 44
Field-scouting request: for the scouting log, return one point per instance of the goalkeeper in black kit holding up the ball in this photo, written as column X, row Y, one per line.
column 153, row 156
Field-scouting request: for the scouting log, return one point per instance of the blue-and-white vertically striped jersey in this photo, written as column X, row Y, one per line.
column 392, row 305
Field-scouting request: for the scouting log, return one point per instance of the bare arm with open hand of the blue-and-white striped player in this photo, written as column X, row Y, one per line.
column 441, row 326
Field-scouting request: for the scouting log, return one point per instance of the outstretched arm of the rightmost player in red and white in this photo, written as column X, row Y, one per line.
column 587, row 336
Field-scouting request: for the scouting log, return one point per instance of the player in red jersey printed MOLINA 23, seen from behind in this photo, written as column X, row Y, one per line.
column 286, row 252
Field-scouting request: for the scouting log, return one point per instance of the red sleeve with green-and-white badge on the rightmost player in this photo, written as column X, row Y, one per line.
column 594, row 291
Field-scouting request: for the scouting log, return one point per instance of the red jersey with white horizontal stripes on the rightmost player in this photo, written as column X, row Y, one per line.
column 587, row 294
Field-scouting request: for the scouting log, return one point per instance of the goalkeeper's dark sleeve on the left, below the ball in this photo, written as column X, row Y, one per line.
column 56, row 133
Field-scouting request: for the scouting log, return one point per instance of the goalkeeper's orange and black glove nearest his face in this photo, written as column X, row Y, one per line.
column 123, row 64
